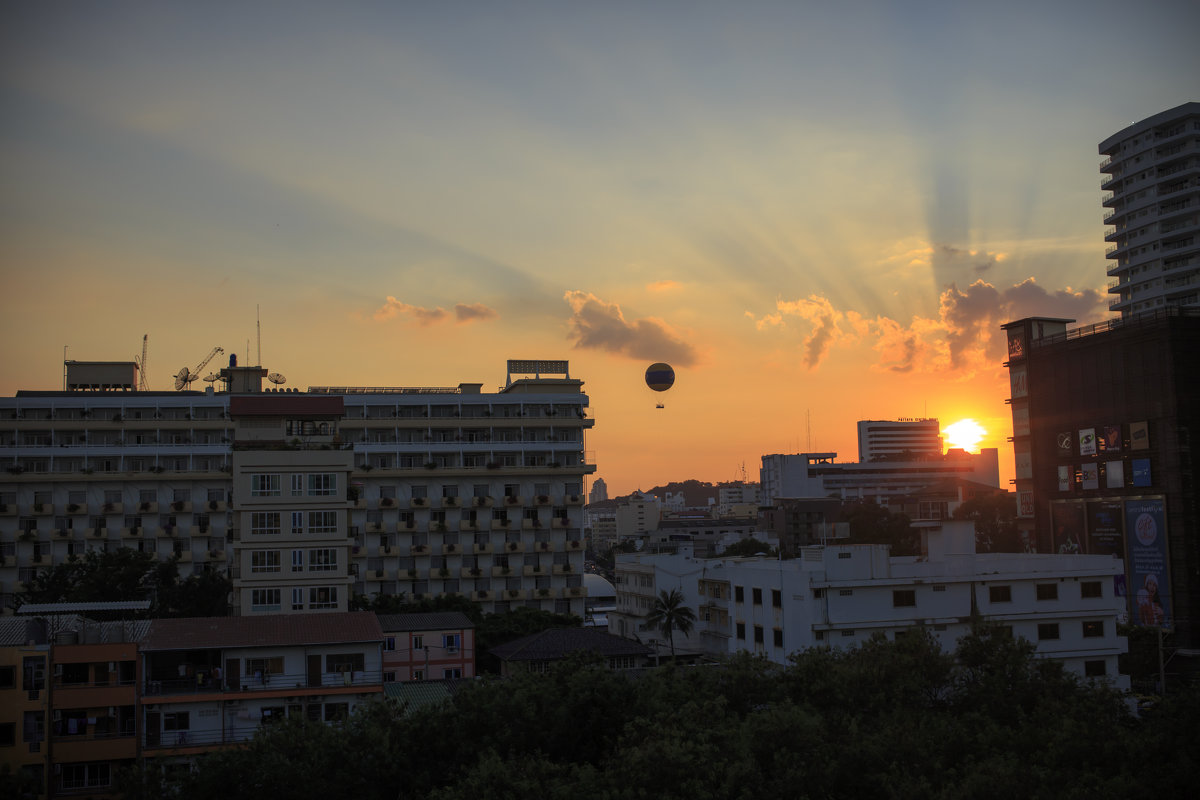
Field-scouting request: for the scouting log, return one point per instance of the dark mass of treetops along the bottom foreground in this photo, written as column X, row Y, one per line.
column 886, row 720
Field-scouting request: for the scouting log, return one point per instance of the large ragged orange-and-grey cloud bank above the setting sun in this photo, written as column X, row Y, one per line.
column 962, row 341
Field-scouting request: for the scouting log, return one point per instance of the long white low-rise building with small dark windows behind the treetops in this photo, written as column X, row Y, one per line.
column 842, row 596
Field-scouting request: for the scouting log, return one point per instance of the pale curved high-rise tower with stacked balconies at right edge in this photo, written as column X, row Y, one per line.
column 1153, row 200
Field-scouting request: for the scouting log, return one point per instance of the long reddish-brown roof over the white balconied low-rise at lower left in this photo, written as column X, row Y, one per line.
column 268, row 630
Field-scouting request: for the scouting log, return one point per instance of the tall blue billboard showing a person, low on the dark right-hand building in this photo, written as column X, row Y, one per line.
column 1147, row 542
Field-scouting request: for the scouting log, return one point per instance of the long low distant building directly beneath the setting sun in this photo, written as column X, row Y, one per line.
column 820, row 476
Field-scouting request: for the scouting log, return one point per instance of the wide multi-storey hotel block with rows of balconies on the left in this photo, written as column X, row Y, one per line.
column 423, row 491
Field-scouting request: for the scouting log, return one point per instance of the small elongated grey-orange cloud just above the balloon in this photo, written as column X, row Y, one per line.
column 601, row 326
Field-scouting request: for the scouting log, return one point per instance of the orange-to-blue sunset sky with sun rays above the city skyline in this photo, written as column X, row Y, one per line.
column 818, row 213
